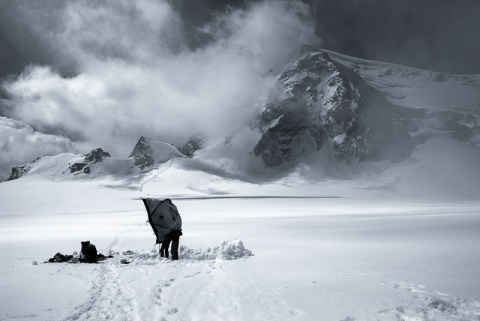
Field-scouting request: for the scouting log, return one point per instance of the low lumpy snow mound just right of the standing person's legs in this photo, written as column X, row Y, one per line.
column 227, row 250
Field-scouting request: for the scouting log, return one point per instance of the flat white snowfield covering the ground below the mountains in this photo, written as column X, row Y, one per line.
column 286, row 250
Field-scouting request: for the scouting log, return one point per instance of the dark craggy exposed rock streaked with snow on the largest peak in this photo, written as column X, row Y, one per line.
column 313, row 101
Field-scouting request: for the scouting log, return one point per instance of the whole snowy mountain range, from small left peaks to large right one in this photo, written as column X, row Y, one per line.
column 327, row 116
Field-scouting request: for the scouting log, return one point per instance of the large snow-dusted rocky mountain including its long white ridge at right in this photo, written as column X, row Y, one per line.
column 353, row 110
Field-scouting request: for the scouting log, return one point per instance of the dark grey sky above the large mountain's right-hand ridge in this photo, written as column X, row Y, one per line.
column 440, row 35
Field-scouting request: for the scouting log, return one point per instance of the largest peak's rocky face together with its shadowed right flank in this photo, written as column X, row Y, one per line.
column 319, row 104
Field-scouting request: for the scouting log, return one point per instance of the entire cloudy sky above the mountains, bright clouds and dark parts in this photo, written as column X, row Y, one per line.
column 83, row 74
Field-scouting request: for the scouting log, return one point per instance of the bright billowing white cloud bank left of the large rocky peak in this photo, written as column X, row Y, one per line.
column 134, row 73
